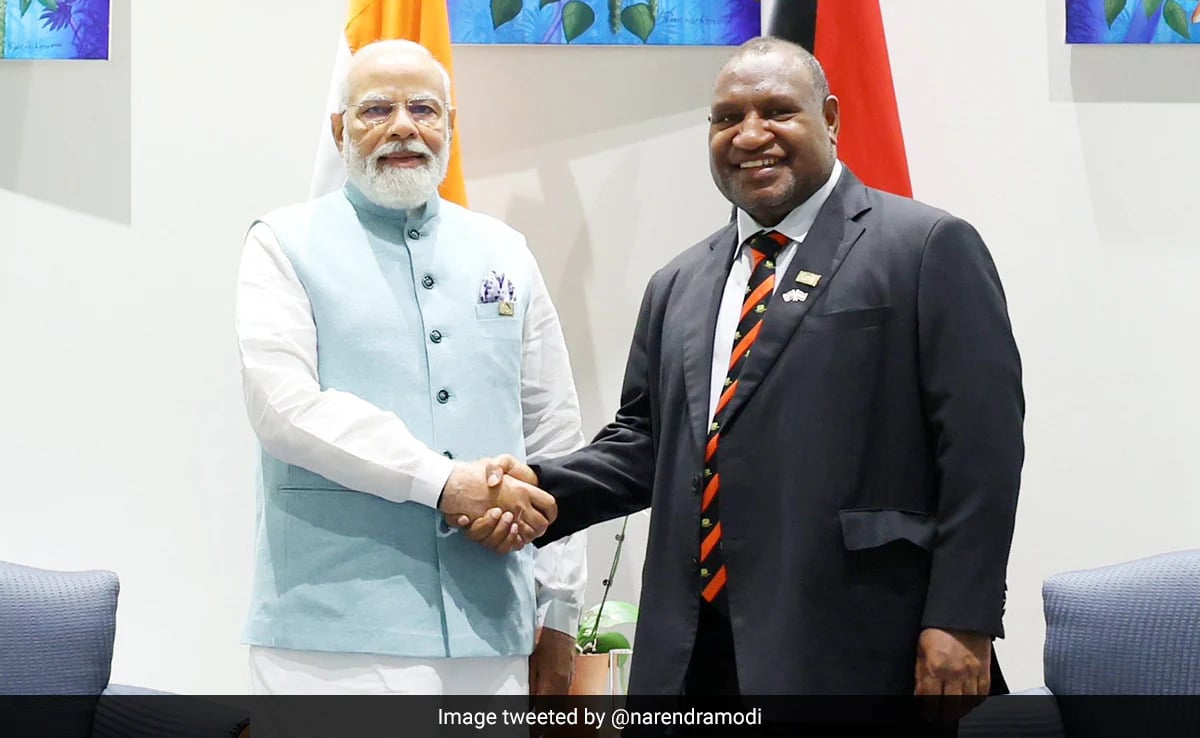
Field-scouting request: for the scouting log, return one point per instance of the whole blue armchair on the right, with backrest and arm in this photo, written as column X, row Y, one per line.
column 1123, row 650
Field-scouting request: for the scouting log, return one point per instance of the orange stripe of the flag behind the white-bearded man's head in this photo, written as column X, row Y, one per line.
column 428, row 23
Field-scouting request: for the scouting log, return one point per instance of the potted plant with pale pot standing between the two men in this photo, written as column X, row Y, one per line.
column 597, row 641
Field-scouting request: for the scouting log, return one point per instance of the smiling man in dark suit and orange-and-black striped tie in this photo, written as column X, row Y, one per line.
column 824, row 409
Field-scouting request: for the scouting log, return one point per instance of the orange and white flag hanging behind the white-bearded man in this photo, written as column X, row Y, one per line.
column 428, row 23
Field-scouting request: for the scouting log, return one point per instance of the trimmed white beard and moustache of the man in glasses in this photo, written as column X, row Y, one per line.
column 395, row 188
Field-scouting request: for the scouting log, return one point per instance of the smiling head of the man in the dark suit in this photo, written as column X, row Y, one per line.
column 772, row 141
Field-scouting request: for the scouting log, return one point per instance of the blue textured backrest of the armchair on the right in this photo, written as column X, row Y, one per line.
column 1127, row 629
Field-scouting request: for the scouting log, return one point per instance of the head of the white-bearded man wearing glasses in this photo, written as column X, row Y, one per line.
column 395, row 133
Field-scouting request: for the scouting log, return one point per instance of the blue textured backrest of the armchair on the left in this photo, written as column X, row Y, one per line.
column 57, row 631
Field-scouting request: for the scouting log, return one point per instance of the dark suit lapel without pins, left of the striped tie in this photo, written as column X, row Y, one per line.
column 703, row 299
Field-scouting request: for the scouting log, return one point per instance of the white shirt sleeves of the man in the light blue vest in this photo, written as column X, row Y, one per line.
column 355, row 443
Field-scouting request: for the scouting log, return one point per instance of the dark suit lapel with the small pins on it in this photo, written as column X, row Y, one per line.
column 825, row 249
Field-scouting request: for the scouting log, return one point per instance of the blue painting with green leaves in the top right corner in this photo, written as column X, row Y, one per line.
column 1133, row 21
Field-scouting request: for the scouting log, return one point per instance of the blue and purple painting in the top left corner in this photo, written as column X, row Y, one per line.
column 55, row 29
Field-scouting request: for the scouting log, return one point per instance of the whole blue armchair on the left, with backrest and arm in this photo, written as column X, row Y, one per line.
column 57, row 632
